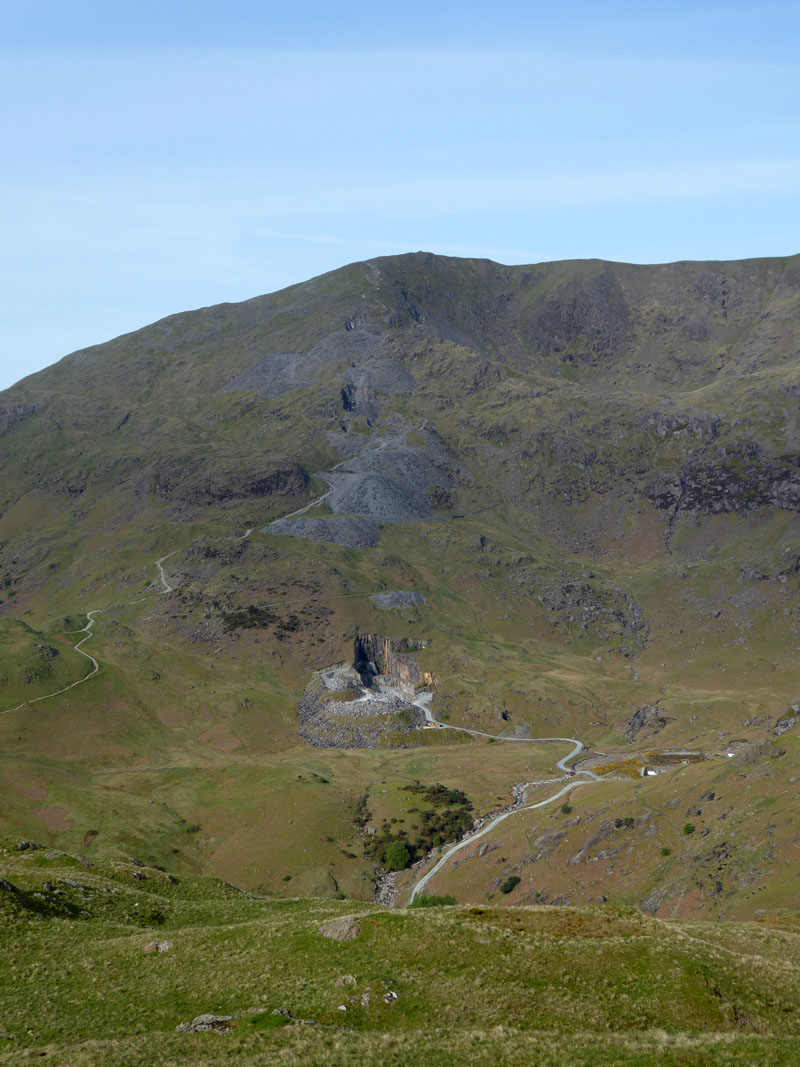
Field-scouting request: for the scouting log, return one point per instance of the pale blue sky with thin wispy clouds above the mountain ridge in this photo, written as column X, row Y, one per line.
column 162, row 157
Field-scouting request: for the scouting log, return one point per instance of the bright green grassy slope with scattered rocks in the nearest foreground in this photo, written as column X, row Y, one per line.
column 105, row 962
